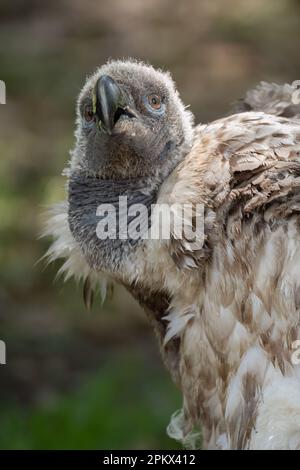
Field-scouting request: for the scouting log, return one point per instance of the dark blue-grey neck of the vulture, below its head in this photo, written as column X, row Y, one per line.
column 108, row 218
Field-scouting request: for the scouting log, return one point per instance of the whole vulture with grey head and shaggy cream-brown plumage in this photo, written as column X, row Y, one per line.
column 226, row 311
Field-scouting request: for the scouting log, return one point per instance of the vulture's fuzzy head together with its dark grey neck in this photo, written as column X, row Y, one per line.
column 132, row 131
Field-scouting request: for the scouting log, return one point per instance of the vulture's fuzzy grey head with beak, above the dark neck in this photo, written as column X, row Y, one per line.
column 130, row 123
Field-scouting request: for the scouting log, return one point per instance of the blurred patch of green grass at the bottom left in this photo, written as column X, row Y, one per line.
column 116, row 408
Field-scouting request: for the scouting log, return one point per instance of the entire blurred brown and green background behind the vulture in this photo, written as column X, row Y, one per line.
column 95, row 380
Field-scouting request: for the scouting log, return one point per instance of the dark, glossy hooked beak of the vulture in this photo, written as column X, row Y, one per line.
column 109, row 103
